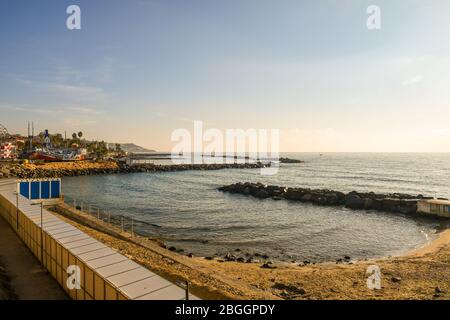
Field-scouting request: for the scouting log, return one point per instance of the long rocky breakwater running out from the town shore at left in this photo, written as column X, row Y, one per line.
column 79, row 169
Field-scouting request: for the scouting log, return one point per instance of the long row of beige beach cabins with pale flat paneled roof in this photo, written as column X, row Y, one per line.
column 84, row 267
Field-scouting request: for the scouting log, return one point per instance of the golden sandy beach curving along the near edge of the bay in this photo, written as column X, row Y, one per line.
column 420, row 274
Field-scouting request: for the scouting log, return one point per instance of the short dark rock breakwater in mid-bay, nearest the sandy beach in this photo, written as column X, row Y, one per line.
column 396, row 202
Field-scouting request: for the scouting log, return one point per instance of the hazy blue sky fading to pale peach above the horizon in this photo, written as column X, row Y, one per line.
column 139, row 69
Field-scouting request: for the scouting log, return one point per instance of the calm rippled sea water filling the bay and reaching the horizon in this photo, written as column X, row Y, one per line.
column 193, row 215
